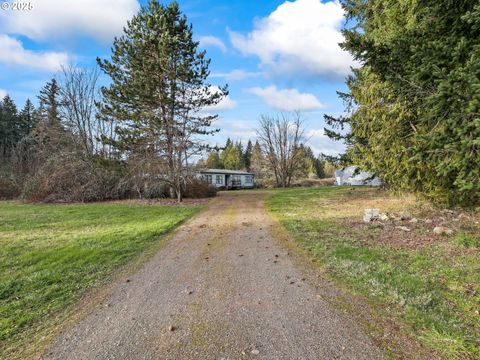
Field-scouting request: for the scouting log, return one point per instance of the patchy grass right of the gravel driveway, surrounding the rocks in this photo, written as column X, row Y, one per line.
column 428, row 283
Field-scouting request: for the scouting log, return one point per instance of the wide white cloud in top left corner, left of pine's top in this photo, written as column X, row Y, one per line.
column 100, row 19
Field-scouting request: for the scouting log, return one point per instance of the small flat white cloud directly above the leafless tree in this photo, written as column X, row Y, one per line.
column 287, row 99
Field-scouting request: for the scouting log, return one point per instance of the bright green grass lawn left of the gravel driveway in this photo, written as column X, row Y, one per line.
column 50, row 255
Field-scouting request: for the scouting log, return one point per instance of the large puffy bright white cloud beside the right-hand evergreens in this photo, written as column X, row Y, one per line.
column 299, row 37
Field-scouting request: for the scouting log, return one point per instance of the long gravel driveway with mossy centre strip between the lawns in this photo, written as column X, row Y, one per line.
column 223, row 287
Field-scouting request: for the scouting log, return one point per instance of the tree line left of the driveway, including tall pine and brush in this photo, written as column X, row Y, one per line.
column 133, row 137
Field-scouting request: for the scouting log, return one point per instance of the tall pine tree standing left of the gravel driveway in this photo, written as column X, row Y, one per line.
column 158, row 89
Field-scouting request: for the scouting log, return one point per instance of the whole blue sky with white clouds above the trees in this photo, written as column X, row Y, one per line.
column 274, row 55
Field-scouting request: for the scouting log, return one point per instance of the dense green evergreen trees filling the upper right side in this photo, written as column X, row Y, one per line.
column 414, row 104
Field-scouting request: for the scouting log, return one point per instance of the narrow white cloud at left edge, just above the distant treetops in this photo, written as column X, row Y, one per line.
column 13, row 53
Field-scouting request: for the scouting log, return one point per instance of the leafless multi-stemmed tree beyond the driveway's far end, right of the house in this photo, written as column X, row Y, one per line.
column 280, row 137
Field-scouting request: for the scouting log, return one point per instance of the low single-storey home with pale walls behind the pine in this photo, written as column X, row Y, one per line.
column 228, row 179
